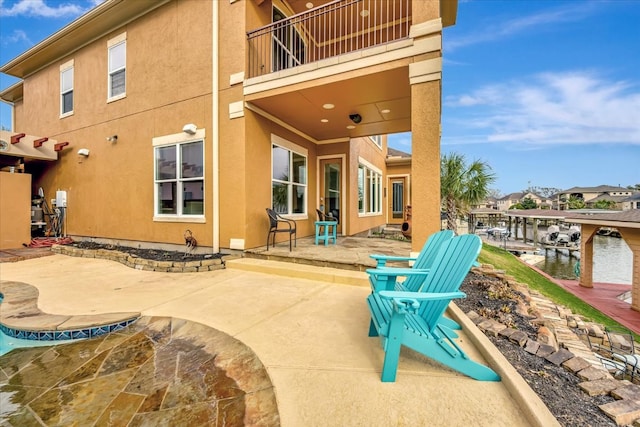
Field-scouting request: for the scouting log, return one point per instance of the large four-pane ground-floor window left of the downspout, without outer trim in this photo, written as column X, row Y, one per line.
column 179, row 172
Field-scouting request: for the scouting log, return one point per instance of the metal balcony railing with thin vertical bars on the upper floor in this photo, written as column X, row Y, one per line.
column 327, row 31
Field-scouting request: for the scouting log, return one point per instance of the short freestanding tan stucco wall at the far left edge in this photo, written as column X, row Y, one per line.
column 15, row 209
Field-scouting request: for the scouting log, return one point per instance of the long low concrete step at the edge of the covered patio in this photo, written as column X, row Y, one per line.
column 300, row 271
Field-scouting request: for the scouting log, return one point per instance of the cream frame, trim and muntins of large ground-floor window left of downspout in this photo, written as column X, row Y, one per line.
column 178, row 140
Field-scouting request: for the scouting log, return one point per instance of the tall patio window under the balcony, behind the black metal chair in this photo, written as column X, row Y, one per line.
column 288, row 181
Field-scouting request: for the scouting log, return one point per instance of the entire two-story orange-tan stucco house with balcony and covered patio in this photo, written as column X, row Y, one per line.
column 174, row 115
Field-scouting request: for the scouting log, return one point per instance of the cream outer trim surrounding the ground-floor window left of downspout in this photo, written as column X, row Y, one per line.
column 175, row 139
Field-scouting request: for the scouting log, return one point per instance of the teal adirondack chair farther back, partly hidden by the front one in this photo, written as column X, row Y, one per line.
column 386, row 278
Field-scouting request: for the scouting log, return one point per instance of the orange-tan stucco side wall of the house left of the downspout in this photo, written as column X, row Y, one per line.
column 110, row 193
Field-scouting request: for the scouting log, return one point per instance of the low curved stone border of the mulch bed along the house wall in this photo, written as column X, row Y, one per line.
column 145, row 264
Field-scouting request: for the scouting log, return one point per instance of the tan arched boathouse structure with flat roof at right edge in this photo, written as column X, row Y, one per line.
column 628, row 224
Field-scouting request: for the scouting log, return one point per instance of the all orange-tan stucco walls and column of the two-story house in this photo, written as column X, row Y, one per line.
column 169, row 84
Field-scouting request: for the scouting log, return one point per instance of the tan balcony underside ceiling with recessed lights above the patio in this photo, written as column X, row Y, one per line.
column 366, row 95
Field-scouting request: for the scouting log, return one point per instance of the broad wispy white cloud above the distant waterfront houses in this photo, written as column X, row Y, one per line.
column 550, row 108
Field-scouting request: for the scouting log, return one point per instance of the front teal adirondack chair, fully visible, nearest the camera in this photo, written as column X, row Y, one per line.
column 412, row 319
